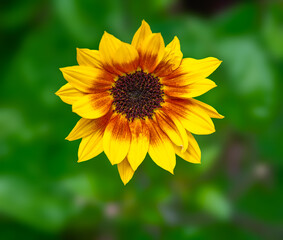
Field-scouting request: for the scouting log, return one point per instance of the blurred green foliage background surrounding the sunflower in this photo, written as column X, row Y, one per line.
column 236, row 193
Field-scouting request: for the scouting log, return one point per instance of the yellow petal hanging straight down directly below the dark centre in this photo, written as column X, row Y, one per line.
column 139, row 143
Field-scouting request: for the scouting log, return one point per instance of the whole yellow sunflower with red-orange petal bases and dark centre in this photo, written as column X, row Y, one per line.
column 138, row 98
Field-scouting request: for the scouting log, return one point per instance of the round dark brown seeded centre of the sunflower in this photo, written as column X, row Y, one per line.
column 137, row 95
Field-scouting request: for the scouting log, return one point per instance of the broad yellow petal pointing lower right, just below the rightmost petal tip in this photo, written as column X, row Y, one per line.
column 193, row 118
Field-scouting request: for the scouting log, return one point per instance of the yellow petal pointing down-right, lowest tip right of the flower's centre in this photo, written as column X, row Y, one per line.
column 160, row 149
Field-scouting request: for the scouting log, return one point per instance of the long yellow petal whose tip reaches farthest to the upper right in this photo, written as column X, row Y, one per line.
column 191, row 70
